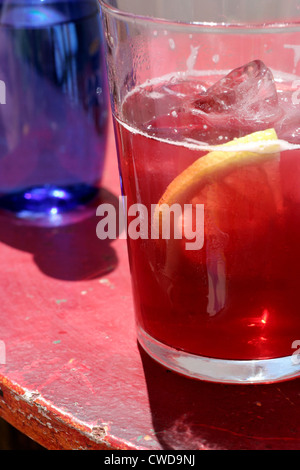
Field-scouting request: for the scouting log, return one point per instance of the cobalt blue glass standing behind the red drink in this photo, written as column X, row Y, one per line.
column 53, row 109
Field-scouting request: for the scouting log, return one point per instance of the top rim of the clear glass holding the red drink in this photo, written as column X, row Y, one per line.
column 229, row 27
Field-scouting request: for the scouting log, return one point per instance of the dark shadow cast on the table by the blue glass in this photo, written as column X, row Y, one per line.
column 69, row 252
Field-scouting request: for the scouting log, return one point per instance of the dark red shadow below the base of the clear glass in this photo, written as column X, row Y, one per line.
column 188, row 414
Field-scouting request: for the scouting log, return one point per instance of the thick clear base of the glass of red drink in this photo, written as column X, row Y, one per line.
column 220, row 370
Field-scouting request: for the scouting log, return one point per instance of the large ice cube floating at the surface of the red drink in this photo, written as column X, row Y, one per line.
column 246, row 98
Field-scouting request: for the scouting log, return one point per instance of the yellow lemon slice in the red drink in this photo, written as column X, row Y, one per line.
column 208, row 167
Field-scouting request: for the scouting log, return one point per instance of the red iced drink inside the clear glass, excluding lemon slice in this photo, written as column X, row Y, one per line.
column 237, row 296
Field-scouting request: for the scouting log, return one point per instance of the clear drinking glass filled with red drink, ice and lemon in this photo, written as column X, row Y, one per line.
column 205, row 100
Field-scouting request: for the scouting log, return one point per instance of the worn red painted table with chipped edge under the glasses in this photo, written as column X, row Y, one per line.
column 74, row 376
